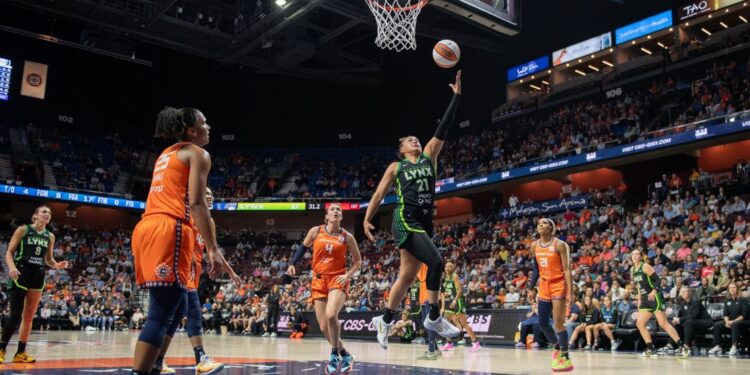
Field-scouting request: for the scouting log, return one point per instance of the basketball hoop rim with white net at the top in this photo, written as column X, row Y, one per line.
column 397, row 22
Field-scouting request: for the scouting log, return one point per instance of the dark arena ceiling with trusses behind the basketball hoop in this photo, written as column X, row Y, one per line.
column 329, row 40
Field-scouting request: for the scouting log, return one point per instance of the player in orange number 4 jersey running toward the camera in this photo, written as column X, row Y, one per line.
column 330, row 280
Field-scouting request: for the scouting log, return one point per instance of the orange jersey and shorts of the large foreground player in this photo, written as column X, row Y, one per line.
column 164, row 239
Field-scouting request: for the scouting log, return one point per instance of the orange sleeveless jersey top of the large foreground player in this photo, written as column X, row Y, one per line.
column 168, row 194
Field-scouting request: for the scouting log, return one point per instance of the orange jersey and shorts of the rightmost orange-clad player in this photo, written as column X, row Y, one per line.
column 552, row 278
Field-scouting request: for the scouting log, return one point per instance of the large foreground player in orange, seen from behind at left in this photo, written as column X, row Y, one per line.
column 163, row 241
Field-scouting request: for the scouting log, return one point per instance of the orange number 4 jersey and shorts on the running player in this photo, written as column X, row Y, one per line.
column 329, row 261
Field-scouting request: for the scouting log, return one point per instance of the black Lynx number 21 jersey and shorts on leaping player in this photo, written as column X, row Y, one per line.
column 415, row 185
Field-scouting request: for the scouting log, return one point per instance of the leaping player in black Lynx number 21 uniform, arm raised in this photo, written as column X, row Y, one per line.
column 412, row 222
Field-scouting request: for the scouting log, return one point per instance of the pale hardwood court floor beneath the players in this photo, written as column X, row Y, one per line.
column 71, row 352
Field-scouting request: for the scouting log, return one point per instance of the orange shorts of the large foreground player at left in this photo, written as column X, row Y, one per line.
column 162, row 251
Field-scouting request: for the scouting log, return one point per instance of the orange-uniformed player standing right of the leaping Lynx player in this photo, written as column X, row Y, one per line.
column 551, row 262
